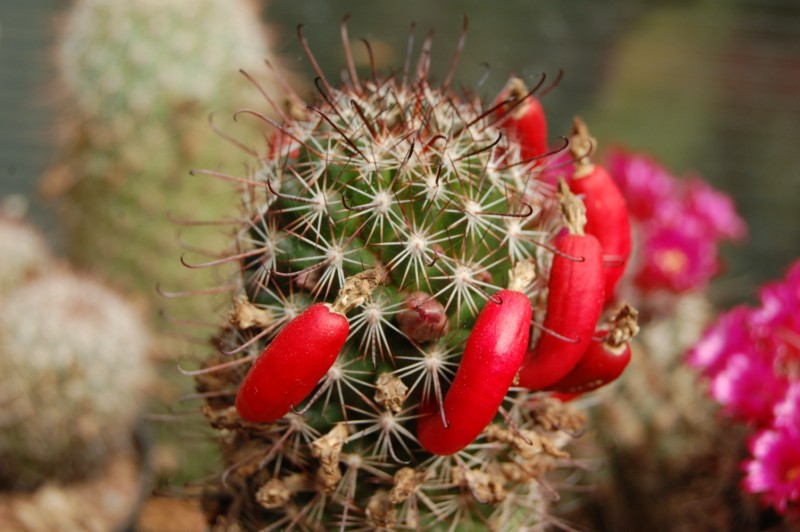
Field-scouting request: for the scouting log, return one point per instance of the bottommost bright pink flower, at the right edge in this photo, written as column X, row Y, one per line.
column 774, row 471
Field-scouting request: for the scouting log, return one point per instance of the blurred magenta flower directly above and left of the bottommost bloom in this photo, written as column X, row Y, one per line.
column 748, row 388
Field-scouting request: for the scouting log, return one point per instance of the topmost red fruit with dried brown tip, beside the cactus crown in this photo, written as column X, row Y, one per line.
column 524, row 120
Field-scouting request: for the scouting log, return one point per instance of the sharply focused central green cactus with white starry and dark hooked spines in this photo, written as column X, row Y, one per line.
column 418, row 192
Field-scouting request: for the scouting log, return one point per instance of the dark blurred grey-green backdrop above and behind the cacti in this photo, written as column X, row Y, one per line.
column 706, row 87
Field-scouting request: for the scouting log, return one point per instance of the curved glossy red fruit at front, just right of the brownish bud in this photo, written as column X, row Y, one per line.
column 491, row 358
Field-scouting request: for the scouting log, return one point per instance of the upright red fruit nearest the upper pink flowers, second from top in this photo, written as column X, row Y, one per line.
column 606, row 219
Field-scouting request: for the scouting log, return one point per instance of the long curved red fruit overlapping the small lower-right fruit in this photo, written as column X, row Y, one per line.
column 574, row 303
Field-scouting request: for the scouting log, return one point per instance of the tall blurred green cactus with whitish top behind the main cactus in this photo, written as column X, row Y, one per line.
column 145, row 86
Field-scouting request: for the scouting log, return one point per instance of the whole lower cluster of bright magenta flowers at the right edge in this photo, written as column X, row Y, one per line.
column 753, row 358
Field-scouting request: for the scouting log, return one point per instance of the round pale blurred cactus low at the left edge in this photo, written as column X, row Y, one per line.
column 73, row 372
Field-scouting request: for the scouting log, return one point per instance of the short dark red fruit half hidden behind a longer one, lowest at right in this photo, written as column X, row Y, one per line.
column 599, row 366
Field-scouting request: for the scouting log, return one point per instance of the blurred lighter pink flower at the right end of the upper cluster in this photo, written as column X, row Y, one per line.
column 715, row 209
